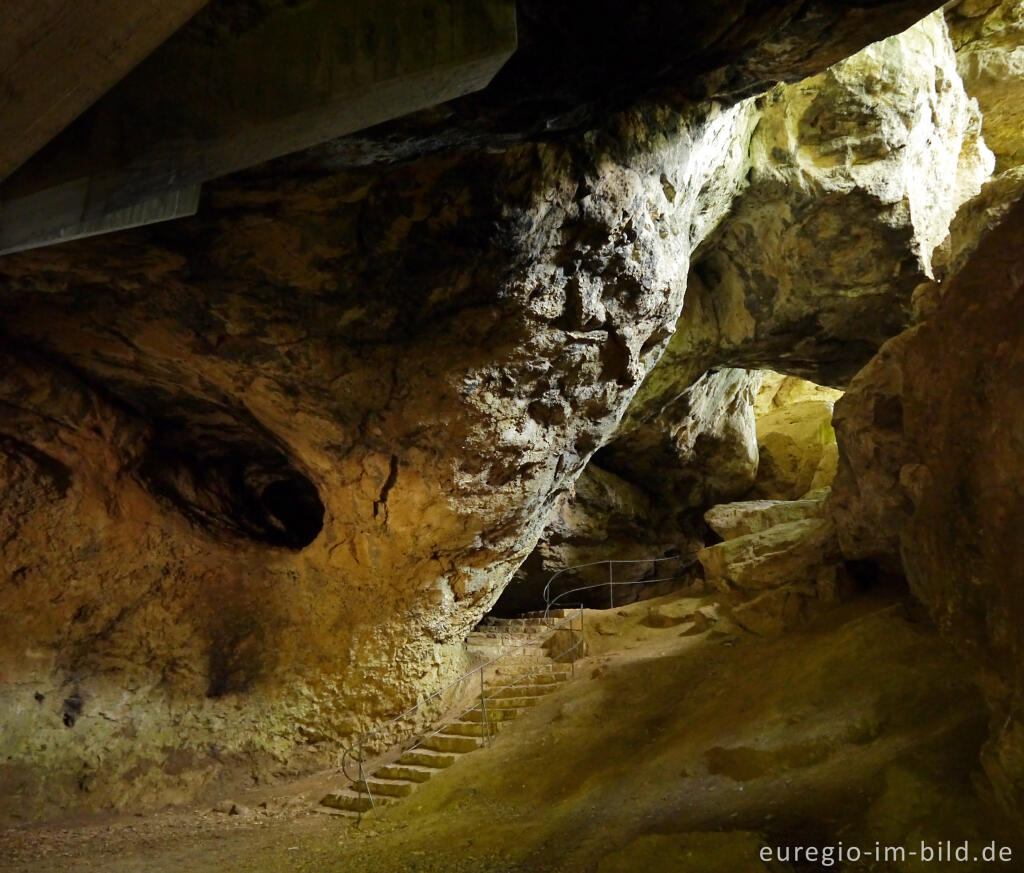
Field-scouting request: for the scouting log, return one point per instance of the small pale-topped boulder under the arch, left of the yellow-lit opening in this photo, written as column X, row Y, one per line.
column 703, row 447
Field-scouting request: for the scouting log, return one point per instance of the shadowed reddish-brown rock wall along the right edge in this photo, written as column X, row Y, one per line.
column 932, row 439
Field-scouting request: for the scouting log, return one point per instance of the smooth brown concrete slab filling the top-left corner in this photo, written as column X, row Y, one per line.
column 59, row 57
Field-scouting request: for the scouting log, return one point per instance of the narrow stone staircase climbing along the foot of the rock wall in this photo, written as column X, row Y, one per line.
column 522, row 676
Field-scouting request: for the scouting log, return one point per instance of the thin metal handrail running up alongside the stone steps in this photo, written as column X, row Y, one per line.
column 358, row 755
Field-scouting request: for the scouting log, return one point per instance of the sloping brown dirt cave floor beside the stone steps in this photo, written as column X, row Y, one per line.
column 686, row 747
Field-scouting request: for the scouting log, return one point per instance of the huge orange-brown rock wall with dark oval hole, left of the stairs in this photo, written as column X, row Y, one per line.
column 278, row 460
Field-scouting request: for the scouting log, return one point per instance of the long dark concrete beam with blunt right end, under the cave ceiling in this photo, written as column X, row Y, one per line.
column 224, row 96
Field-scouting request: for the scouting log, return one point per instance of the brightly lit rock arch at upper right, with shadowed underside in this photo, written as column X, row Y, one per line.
column 856, row 177
